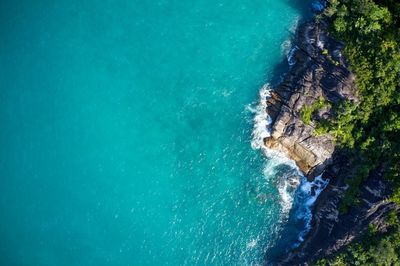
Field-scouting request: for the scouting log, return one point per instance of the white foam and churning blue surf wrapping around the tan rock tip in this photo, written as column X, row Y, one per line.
column 293, row 187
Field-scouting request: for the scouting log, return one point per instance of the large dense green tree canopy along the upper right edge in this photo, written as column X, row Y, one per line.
column 370, row 128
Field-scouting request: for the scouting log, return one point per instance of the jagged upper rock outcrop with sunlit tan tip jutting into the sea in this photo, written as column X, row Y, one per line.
column 318, row 71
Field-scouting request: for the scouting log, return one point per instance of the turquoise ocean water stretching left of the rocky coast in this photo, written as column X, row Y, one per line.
column 127, row 129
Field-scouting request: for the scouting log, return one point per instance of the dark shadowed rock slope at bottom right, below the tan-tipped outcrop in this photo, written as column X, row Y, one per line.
column 333, row 231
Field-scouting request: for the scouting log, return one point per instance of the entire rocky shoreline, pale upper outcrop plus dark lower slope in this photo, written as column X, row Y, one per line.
column 320, row 72
